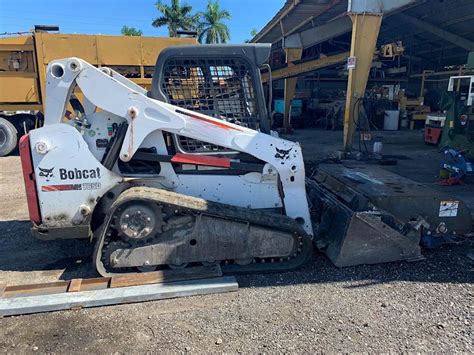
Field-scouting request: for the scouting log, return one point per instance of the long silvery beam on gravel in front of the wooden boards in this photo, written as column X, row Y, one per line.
column 111, row 296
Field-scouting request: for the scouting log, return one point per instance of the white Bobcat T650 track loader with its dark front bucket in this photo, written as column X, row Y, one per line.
column 189, row 173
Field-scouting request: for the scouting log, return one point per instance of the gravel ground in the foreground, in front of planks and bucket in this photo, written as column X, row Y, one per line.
column 422, row 307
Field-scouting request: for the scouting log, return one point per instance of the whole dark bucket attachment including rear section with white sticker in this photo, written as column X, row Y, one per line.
column 363, row 214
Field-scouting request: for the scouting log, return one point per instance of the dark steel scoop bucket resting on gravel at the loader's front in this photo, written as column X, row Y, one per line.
column 353, row 238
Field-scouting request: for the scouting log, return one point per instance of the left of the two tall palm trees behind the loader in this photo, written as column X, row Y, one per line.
column 176, row 17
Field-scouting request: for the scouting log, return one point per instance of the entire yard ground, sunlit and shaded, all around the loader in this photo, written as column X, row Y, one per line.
column 417, row 307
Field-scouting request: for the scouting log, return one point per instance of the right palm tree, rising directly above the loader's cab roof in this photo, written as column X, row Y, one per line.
column 211, row 28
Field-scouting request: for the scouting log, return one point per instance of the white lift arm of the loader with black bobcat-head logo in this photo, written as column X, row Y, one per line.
column 111, row 92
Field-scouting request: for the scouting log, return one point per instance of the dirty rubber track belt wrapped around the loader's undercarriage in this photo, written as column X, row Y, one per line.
column 195, row 205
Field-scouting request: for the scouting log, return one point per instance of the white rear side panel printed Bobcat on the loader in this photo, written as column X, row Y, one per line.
column 66, row 154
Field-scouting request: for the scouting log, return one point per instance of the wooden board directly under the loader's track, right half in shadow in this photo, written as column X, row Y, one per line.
column 198, row 272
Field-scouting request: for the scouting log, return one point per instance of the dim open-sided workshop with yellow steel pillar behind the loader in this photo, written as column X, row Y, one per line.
column 360, row 78
